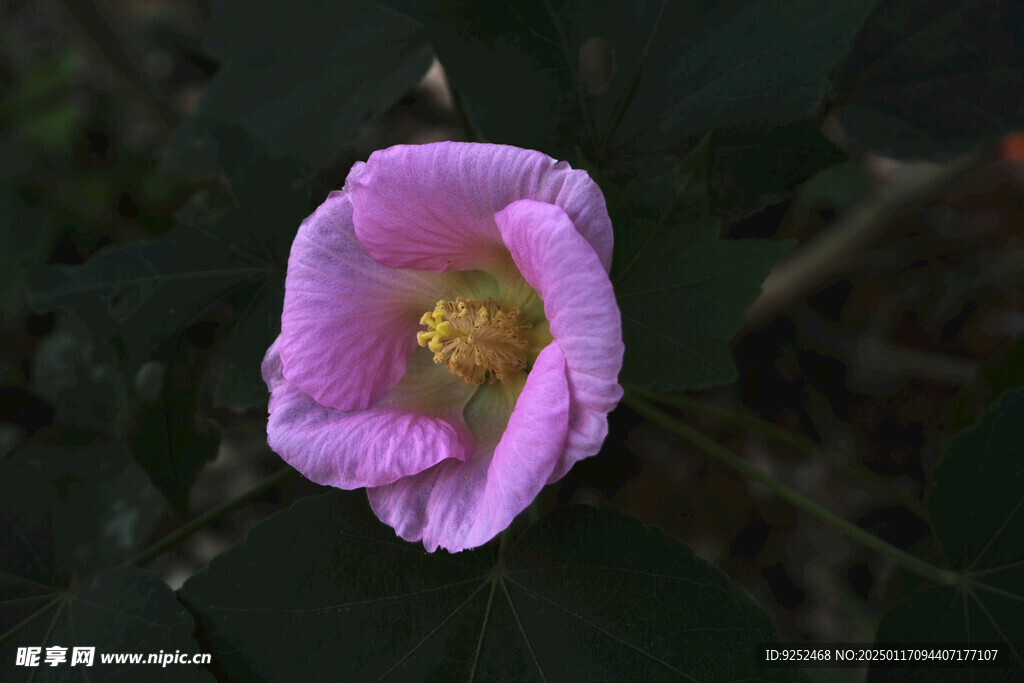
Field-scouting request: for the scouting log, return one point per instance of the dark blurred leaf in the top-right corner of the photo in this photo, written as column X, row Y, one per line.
column 932, row 79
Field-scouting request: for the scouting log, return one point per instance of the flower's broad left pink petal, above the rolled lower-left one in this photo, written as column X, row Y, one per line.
column 349, row 323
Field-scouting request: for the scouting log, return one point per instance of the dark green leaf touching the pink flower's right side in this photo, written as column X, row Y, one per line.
column 681, row 289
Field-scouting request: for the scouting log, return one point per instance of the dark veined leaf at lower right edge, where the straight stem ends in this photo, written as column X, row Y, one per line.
column 976, row 500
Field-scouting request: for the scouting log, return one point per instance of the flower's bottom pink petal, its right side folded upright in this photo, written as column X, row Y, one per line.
column 463, row 505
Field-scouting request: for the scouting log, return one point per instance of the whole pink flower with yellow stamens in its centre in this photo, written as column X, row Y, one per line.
column 450, row 338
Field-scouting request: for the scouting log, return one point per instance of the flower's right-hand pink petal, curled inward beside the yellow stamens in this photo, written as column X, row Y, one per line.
column 581, row 308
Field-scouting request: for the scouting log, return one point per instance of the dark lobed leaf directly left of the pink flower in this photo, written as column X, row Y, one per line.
column 145, row 297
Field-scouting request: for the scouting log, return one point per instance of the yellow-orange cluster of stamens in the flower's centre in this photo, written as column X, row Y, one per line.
column 478, row 340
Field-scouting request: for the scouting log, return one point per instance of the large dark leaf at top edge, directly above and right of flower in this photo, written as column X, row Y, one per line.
column 671, row 71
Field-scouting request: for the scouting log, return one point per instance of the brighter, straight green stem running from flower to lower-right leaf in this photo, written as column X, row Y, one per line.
column 726, row 456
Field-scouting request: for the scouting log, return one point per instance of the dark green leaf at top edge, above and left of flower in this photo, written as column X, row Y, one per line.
column 304, row 76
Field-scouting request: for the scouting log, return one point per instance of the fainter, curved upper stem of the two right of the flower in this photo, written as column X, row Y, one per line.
column 754, row 423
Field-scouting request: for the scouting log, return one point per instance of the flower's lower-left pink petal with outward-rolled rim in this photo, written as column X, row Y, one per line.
column 368, row 448
